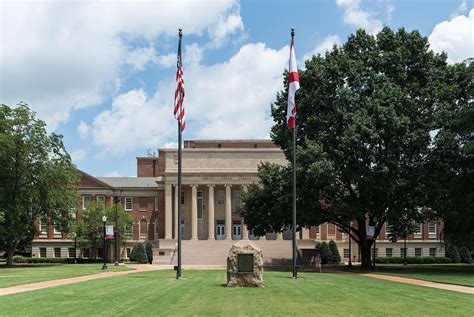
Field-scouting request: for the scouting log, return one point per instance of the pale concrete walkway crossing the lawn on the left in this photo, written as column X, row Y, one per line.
column 136, row 268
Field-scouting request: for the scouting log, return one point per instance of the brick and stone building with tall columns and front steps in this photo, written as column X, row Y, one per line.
column 214, row 175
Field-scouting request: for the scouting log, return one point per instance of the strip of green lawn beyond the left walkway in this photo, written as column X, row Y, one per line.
column 24, row 274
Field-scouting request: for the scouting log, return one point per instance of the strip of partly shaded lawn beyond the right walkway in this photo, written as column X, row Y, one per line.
column 459, row 274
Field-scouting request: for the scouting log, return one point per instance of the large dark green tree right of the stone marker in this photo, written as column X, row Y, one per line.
column 365, row 113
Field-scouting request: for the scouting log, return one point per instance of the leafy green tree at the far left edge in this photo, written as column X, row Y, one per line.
column 38, row 177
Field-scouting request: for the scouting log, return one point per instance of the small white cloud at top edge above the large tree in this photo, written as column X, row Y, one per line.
column 356, row 16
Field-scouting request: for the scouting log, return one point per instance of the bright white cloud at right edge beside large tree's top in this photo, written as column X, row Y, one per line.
column 455, row 37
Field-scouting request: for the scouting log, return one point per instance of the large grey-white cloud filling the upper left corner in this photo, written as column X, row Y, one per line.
column 60, row 56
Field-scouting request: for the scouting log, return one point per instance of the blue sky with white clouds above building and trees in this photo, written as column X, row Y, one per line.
column 101, row 73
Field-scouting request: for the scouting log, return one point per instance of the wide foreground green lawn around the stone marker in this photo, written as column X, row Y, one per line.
column 204, row 293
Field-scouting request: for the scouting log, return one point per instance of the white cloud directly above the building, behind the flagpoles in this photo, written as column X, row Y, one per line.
column 227, row 100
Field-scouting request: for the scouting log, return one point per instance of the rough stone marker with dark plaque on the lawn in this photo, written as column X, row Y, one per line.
column 245, row 265
